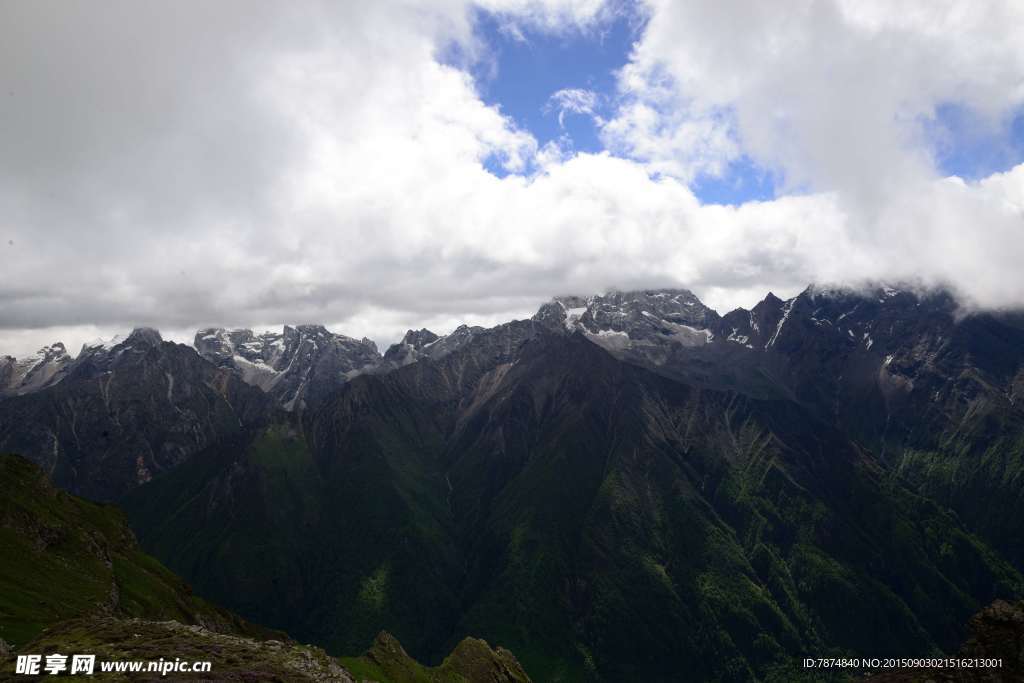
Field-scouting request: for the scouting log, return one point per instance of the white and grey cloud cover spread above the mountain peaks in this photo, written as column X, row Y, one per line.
column 244, row 163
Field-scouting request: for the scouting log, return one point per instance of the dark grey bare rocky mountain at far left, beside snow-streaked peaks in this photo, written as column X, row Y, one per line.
column 124, row 412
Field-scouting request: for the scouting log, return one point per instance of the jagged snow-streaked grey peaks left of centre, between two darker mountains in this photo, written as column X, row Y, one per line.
column 300, row 367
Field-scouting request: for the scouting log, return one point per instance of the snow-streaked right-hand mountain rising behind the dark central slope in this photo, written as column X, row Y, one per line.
column 931, row 392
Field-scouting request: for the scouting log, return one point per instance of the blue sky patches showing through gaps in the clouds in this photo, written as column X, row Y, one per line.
column 525, row 67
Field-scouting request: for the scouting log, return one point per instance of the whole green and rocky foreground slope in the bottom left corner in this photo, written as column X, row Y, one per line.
column 73, row 580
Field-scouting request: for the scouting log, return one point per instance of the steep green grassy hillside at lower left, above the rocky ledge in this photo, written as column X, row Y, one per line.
column 65, row 558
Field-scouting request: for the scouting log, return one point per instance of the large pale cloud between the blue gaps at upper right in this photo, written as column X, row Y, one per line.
column 831, row 94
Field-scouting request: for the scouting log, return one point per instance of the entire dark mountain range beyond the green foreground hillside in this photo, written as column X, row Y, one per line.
column 625, row 487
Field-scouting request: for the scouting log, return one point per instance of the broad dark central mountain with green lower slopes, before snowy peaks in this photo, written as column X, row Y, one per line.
column 584, row 513
